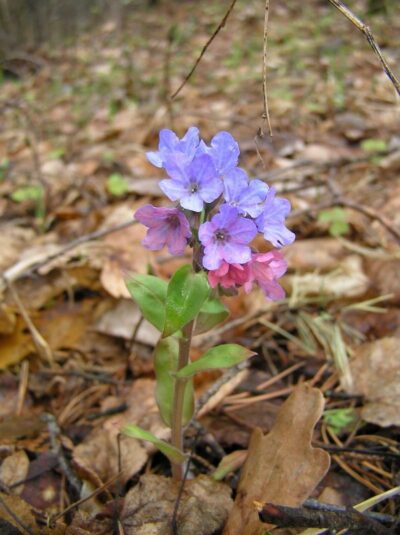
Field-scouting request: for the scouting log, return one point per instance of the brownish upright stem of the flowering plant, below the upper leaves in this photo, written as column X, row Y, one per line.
column 179, row 393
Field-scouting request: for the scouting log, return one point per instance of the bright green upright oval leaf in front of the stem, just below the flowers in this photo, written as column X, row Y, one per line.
column 186, row 294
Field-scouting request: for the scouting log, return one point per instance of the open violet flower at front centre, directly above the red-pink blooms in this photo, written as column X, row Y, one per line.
column 226, row 237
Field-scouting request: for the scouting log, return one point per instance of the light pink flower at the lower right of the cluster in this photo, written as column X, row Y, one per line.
column 265, row 269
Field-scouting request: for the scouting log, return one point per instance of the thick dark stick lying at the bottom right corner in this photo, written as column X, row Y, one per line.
column 301, row 517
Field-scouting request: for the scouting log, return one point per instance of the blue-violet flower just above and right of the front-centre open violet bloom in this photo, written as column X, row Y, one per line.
column 247, row 197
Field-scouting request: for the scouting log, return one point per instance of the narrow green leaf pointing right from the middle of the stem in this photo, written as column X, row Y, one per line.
column 224, row 356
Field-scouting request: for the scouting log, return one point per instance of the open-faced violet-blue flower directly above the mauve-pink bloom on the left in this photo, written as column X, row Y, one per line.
column 193, row 184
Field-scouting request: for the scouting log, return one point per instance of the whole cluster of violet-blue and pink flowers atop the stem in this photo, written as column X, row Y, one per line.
column 206, row 180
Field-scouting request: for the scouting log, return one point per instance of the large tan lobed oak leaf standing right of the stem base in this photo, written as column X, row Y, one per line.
column 282, row 467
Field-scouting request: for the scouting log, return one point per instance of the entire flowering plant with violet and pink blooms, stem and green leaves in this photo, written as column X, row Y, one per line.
column 218, row 212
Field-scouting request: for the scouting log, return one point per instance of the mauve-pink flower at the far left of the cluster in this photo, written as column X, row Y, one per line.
column 167, row 226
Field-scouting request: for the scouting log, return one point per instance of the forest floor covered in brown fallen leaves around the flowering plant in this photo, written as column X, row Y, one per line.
column 76, row 365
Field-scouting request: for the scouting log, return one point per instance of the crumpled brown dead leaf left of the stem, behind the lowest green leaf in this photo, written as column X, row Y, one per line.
column 99, row 451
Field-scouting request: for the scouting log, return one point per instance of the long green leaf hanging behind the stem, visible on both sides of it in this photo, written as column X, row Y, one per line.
column 165, row 362
